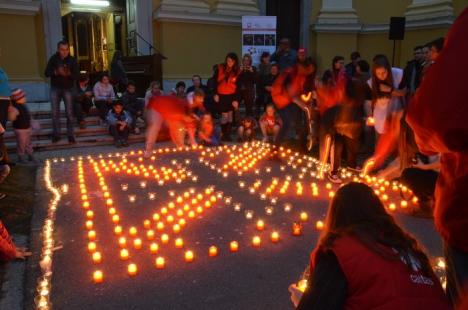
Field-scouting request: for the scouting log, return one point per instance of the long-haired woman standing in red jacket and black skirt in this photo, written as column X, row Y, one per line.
column 226, row 92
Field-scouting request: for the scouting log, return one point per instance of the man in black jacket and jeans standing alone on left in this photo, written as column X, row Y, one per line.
column 63, row 72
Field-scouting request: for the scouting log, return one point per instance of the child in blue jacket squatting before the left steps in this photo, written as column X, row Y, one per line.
column 119, row 122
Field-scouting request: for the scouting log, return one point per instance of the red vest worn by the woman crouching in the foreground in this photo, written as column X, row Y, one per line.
column 378, row 283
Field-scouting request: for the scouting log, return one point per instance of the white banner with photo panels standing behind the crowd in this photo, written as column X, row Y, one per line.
column 258, row 36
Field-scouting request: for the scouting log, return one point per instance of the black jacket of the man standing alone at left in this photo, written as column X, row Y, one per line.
column 70, row 68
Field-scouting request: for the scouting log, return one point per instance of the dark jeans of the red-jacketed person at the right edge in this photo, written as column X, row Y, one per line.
column 457, row 272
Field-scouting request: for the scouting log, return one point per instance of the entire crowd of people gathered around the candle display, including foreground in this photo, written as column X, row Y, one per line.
column 402, row 120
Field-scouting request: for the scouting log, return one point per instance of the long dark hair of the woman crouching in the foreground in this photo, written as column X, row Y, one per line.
column 357, row 211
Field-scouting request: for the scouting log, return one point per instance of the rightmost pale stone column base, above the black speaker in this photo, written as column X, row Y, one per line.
column 429, row 13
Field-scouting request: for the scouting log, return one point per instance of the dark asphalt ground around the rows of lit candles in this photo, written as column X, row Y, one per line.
column 253, row 278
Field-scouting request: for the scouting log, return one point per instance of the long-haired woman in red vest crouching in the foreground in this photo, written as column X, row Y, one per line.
column 365, row 261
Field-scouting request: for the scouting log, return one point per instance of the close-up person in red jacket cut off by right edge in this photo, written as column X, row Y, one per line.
column 438, row 117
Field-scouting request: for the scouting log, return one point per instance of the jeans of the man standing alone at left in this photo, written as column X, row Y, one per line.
column 56, row 95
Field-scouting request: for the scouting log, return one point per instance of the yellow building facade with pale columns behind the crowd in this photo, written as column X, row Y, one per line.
column 195, row 34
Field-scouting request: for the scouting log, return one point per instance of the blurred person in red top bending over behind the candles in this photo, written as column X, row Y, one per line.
column 178, row 115
